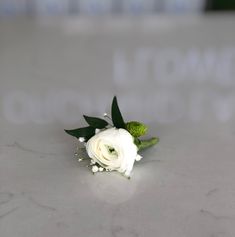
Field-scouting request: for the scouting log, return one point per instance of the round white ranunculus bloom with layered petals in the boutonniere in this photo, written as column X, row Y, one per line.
column 113, row 149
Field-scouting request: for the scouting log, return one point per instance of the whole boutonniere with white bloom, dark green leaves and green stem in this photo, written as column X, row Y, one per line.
column 111, row 143
